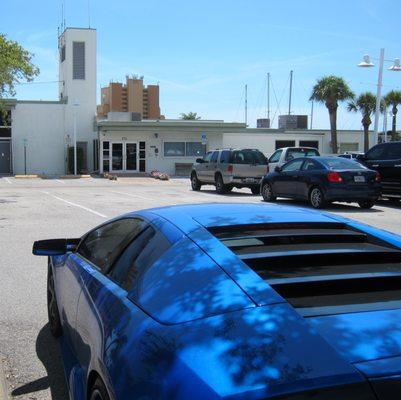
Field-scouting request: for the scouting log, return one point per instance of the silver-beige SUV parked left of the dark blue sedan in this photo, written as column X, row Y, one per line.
column 229, row 168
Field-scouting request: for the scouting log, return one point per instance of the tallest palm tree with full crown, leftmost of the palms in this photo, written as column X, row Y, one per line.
column 330, row 90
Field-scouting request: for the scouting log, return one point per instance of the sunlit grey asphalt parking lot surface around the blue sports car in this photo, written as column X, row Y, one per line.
column 34, row 209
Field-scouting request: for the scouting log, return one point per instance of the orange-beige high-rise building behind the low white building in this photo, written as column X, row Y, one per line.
column 132, row 97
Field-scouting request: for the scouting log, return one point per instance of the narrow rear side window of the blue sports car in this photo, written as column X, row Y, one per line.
column 133, row 263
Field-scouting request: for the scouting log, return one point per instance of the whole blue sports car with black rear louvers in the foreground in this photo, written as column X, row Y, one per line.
column 228, row 301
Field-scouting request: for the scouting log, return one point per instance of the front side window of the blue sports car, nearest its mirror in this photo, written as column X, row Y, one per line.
column 103, row 245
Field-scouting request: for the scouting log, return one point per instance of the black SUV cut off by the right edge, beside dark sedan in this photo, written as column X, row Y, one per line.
column 386, row 158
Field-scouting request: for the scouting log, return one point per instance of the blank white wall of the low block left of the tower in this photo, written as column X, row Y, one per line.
column 42, row 124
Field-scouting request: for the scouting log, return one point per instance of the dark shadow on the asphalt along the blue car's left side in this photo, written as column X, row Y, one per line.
column 48, row 352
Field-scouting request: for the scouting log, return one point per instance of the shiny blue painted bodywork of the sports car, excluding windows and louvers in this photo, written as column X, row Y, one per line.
column 203, row 319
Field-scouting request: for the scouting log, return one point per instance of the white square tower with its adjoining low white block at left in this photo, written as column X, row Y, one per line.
column 42, row 130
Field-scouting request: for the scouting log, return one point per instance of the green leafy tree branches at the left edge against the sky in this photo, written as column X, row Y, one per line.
column 15, row 65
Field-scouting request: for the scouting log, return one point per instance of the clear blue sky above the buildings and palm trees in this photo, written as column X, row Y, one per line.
column 203, row 53
